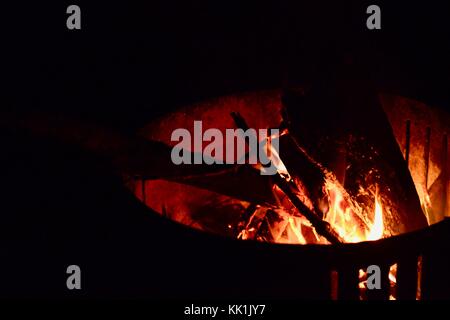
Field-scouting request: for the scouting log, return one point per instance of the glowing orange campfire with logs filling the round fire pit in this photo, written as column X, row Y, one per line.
column 356, row 174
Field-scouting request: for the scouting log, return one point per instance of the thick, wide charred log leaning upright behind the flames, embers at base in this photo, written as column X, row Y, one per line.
column 357, row 124
